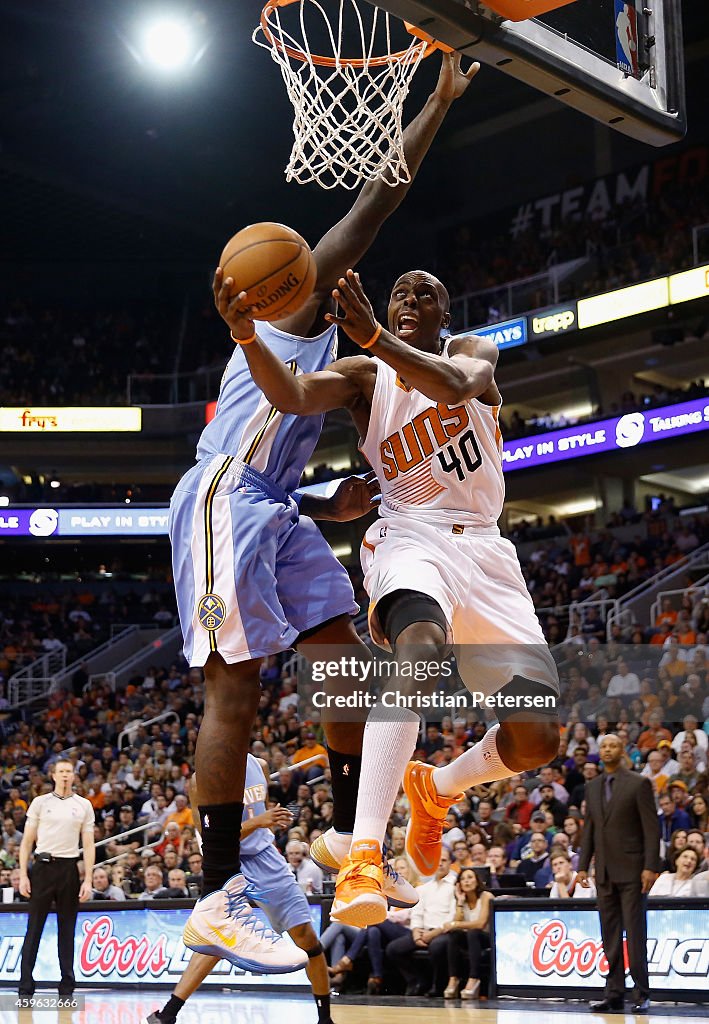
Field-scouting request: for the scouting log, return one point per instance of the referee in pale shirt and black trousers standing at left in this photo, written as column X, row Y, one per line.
column 55, row 822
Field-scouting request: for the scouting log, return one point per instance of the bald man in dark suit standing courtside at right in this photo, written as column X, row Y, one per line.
column 622, row 833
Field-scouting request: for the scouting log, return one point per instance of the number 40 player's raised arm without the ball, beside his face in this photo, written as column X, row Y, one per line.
column 468, row 374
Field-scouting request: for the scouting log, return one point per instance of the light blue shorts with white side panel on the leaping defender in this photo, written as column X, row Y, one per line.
column 251, row 573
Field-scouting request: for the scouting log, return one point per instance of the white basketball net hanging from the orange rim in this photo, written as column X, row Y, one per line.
column 348, row 124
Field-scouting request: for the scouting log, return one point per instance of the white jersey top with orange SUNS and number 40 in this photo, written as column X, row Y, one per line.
column 439, row 463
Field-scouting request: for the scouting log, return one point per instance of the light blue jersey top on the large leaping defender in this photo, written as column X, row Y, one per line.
column 247, row 426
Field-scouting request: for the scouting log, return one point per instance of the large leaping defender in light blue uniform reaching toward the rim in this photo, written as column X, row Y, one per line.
column 255, row 576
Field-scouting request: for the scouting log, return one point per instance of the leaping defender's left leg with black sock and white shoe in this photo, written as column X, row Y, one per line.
column 223, row 923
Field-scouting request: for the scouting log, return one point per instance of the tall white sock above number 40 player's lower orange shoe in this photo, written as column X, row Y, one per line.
column 389, row 743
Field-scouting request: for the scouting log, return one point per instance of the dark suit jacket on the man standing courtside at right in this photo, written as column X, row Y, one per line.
column 624, row 836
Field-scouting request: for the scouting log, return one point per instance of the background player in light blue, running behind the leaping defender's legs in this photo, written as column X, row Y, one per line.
column 285, row 905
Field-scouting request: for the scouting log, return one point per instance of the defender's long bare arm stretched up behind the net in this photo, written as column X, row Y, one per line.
column 347, row 243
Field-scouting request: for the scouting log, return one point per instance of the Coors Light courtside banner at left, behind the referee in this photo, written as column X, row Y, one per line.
column 132, row 947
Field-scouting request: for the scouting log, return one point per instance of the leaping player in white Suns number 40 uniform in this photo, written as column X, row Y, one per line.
column 437, row 569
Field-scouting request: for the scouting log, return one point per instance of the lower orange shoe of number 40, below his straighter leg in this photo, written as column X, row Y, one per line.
column 359, row 891
